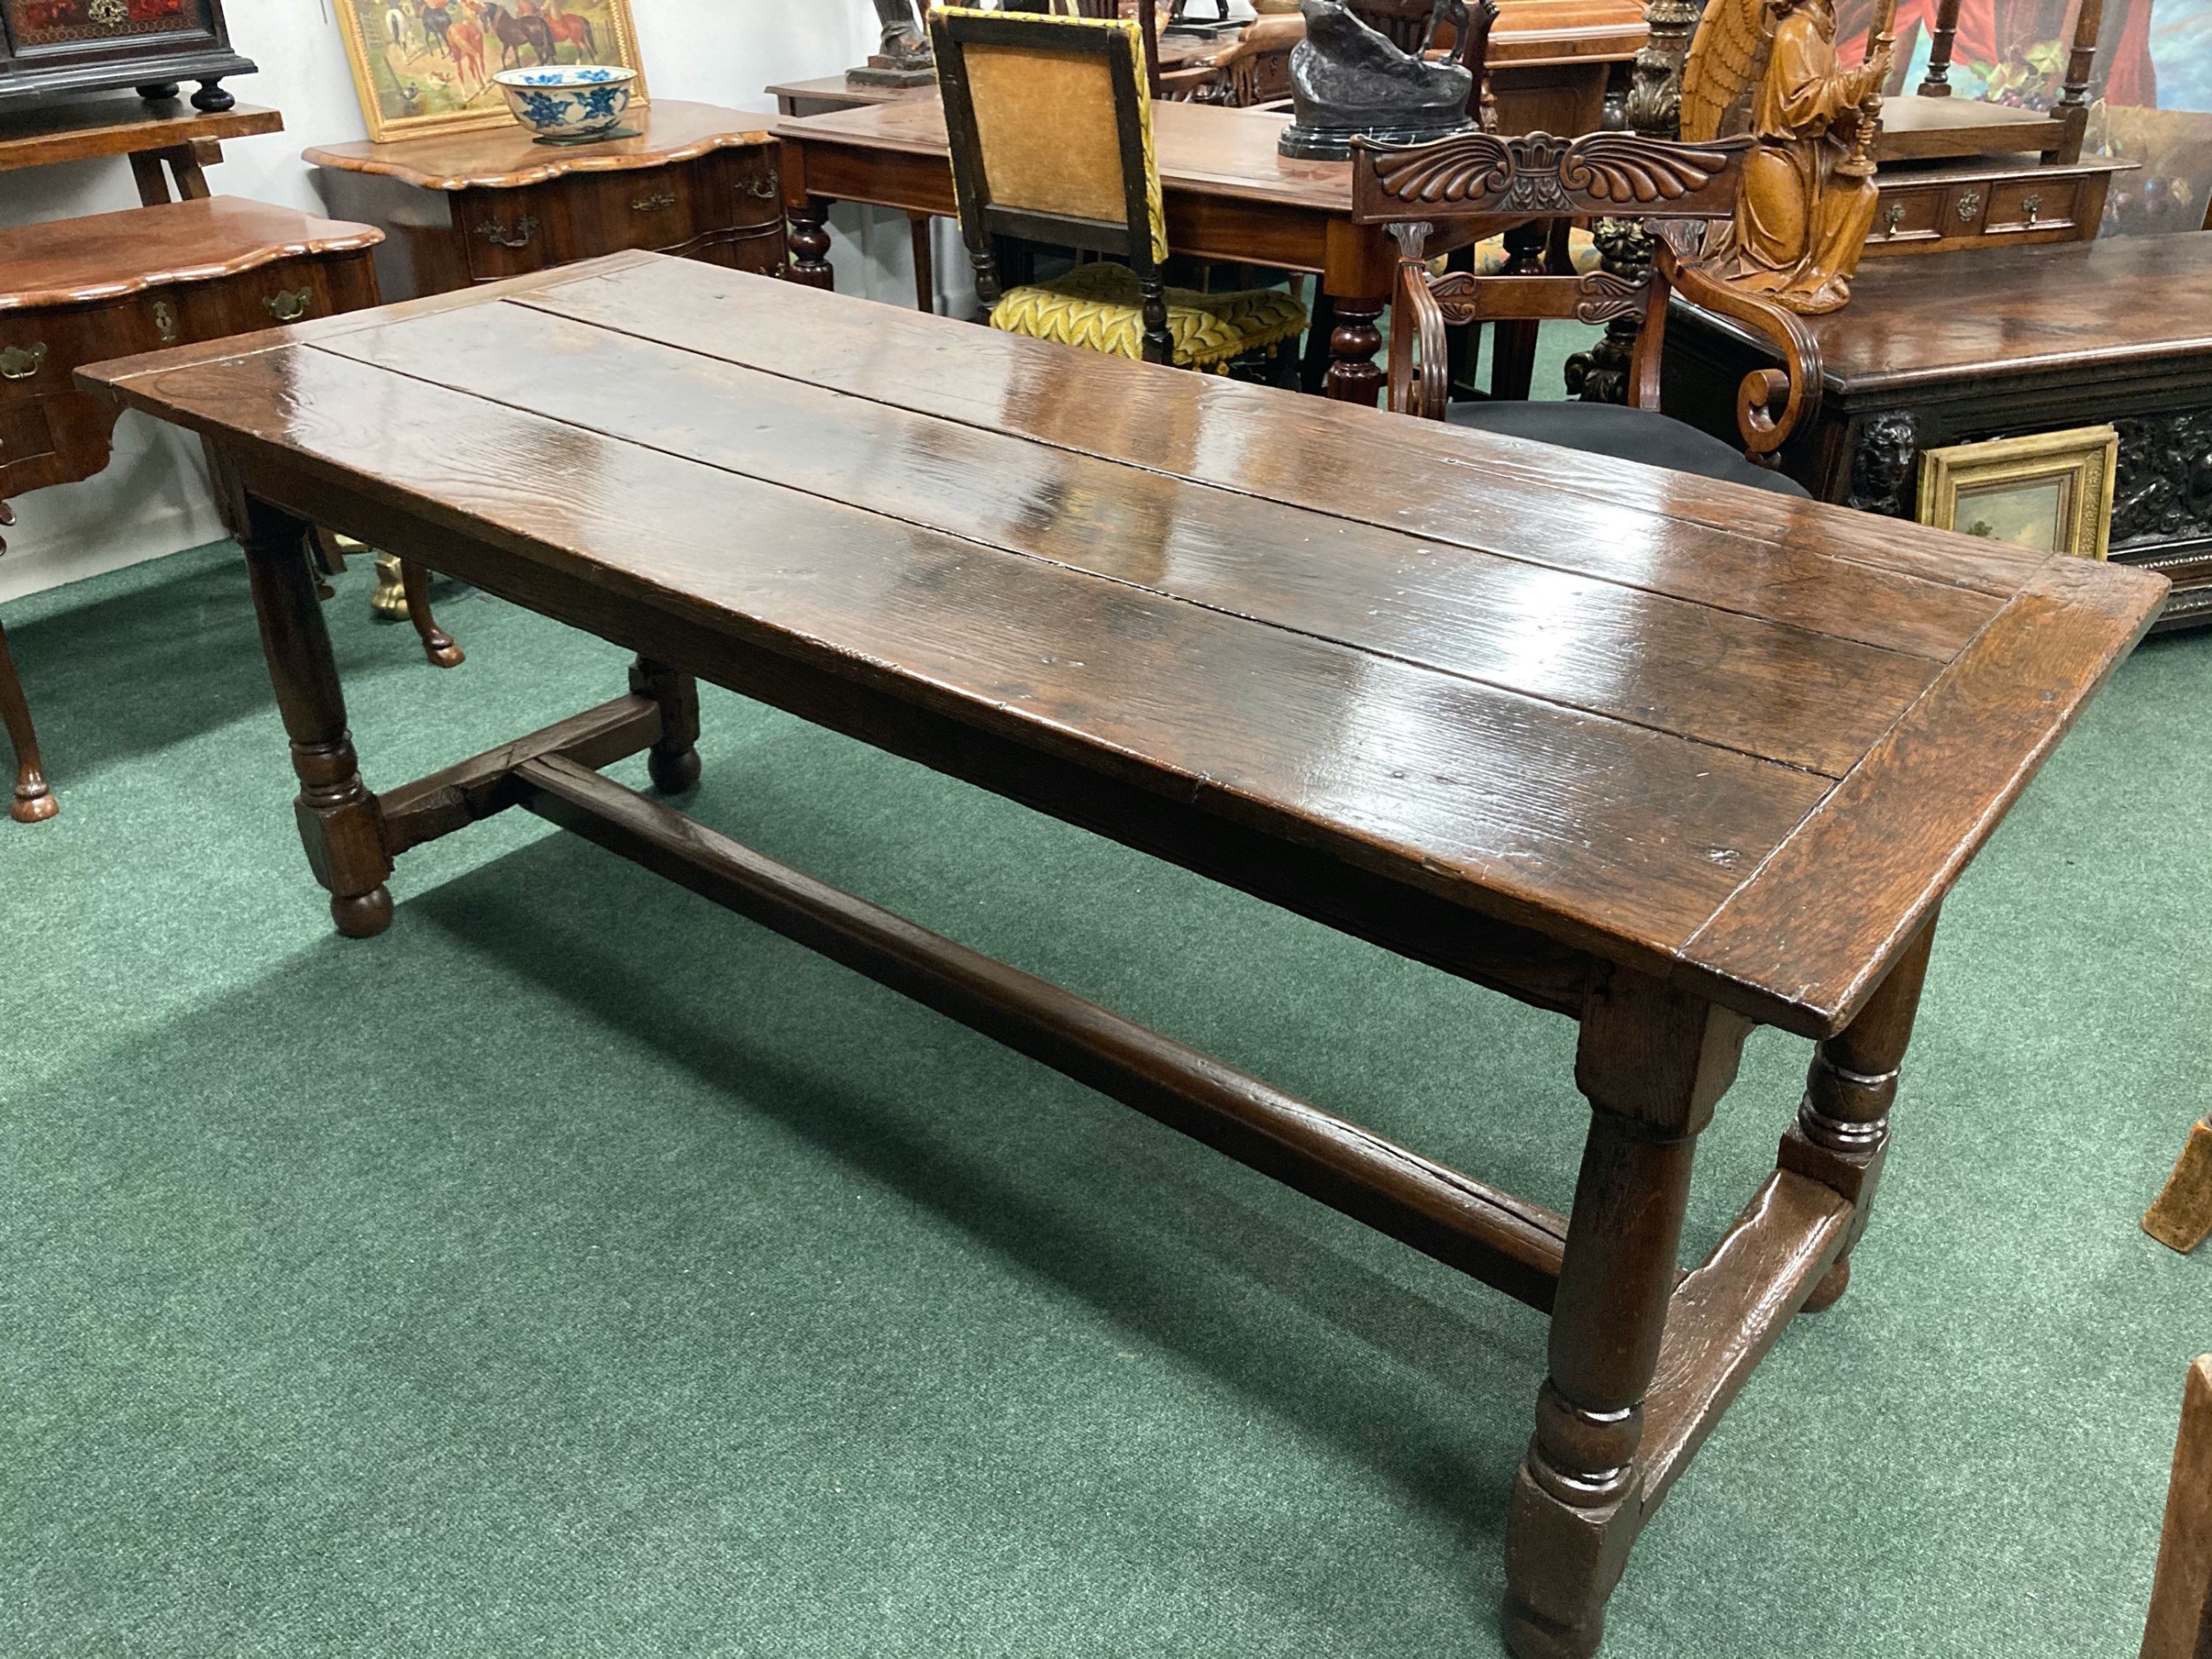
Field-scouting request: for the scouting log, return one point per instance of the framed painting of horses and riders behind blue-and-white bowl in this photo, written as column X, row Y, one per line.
column 426, row 65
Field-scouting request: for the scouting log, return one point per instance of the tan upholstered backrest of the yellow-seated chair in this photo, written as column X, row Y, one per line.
column 1052, row 138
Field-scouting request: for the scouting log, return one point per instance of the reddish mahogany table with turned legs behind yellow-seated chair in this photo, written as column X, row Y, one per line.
column 1229, row 196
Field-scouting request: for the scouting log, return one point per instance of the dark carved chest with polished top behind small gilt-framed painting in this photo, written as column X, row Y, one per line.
column 1996, row 344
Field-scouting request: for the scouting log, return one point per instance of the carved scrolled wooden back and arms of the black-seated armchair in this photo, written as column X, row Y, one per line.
column 1496, row 182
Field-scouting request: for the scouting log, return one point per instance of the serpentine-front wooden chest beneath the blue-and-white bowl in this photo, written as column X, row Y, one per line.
column 474, row 207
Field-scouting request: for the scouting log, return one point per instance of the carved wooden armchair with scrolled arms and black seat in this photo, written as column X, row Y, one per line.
column 1607, row 176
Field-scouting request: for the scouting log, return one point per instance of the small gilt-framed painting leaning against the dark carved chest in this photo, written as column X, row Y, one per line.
column 2052, row 492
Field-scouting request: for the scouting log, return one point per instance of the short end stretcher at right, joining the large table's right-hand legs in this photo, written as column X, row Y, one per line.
column 1729, row 1313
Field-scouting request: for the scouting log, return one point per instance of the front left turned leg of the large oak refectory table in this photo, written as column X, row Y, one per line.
column 337, row 817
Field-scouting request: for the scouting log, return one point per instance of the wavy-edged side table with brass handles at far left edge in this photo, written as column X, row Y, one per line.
column 87, row 291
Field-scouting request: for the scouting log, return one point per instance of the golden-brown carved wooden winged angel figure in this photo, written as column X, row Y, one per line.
column 1808, row 200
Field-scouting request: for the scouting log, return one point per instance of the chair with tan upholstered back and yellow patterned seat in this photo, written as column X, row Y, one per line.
column 1052, row 143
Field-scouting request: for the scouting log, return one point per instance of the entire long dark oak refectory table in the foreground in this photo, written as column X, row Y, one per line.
column 1660, row 755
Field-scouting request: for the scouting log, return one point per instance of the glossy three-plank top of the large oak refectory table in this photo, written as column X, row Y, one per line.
column 1709, row 733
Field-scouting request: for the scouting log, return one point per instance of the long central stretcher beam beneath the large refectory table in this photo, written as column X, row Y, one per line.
column 1488, row 1235
